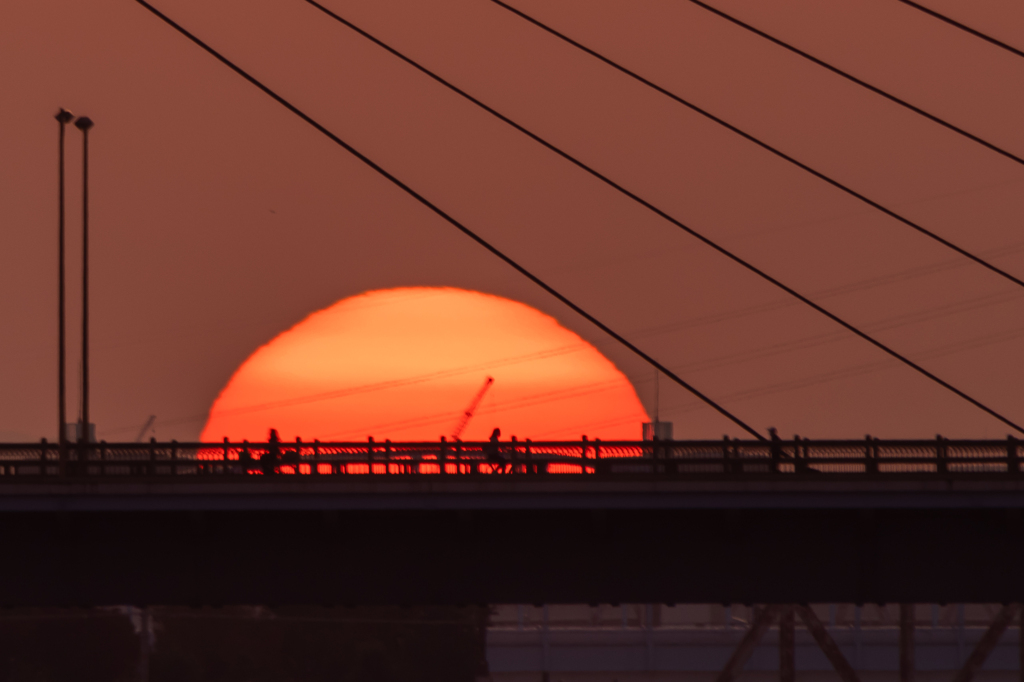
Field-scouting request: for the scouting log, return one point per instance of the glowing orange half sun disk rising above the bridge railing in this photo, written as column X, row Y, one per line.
column 405, row 364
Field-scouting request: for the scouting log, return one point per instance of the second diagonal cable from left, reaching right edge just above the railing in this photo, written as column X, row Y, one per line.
column 722, row 250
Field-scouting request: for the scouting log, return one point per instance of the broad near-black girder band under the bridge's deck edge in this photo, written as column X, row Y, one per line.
column 340, row 558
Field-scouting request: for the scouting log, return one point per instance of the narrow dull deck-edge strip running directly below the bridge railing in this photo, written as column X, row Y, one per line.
column 411, row 493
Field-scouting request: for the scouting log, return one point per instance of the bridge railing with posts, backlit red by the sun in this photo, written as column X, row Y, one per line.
column 870, row 457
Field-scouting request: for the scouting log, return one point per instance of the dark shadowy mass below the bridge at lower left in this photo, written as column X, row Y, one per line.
column 246, row 645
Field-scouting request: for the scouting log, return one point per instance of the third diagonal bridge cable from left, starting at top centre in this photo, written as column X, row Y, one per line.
column 779, row 153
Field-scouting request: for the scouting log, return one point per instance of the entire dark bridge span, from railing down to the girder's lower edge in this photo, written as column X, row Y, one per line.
column 510, row 530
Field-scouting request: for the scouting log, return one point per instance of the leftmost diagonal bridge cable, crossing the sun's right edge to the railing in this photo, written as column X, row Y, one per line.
column 463, row 229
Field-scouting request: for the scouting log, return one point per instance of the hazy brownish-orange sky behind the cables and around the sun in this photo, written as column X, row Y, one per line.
column 221, row 221
